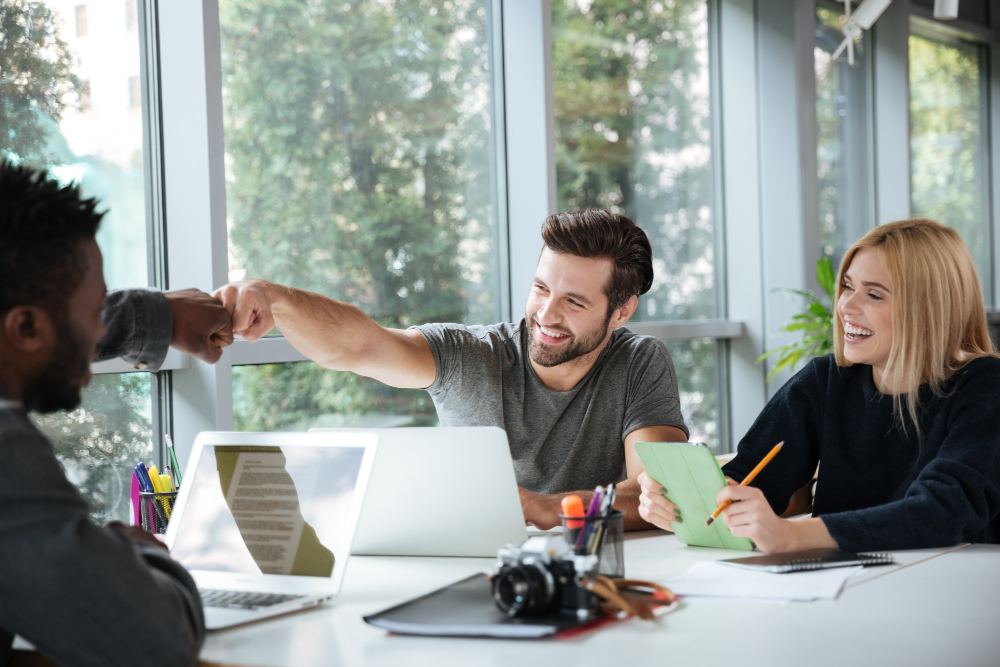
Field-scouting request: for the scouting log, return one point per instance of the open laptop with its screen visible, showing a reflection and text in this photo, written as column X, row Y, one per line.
column 264, row 521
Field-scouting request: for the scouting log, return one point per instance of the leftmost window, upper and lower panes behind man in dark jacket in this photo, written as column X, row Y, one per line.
column 83, row 133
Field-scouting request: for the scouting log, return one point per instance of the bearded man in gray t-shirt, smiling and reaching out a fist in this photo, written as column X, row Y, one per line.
column 573, row 389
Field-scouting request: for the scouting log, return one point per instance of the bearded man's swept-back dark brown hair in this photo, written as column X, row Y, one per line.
column 598, row 233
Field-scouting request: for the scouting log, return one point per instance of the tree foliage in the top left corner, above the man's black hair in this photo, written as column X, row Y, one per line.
column 36, row 80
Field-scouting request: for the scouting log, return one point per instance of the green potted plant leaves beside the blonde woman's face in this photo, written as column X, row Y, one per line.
column 814, row 324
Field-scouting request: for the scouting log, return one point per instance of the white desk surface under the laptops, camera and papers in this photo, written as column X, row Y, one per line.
column 944, row 608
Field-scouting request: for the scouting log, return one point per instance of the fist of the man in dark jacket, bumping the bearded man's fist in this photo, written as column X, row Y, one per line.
column 201, row 325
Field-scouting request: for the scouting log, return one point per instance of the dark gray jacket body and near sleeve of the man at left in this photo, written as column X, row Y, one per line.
column 82, row 594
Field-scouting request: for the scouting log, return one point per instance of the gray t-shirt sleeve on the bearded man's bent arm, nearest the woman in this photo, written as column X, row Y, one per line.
column 653, row 398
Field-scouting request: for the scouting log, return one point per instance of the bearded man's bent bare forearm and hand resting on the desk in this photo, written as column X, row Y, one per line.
column 542, row 509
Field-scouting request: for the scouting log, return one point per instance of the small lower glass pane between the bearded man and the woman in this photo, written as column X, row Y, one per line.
column 694, row 363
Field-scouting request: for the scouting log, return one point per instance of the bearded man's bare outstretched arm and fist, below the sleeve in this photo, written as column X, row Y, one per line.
column 334, row 334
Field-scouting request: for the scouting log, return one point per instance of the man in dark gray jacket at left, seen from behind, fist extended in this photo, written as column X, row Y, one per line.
column 81, row 593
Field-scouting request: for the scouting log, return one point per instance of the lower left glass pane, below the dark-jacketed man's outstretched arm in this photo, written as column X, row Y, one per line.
column 100, row 442
